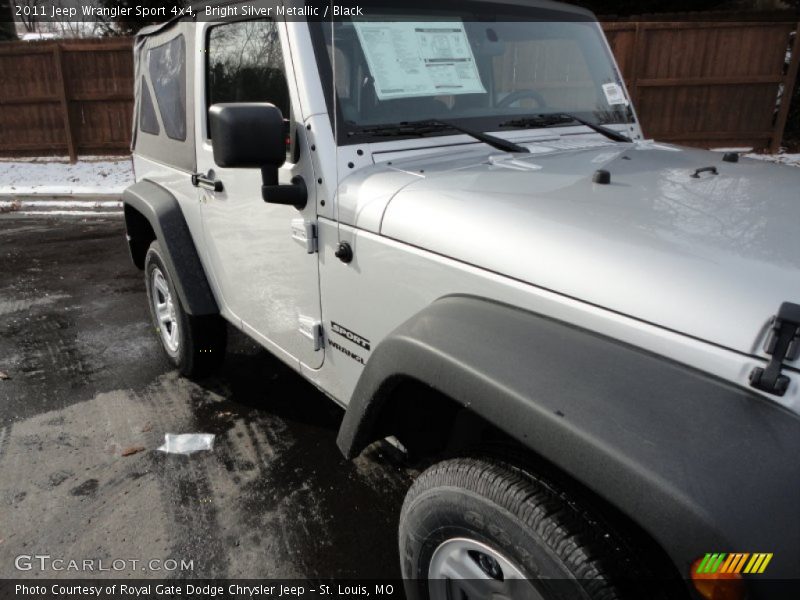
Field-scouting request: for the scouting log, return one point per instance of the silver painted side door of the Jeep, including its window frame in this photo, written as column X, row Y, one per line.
column 264, row 277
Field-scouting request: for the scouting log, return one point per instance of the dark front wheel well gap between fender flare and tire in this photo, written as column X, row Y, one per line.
column 433, row 426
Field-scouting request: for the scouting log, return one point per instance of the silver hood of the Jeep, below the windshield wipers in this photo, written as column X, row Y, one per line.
column 712, row 256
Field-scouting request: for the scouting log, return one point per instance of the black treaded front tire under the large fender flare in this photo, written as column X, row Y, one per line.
column 552, row 541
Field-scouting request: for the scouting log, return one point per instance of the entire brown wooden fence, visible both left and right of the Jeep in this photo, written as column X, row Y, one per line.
column 701, row 84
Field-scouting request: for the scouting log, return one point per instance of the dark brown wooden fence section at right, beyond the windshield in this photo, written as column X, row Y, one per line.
column 709, row 84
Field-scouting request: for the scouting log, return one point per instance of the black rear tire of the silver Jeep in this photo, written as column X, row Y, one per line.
column 200, row 341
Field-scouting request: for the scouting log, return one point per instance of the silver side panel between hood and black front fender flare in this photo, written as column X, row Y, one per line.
column 402, row 280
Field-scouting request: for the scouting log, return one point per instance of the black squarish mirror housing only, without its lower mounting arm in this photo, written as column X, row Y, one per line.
column 247, row 135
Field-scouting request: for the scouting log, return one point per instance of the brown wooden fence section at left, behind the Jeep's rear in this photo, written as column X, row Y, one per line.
column 69, row 97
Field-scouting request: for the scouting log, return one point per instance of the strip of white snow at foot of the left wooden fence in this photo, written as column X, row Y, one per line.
column 55, row 176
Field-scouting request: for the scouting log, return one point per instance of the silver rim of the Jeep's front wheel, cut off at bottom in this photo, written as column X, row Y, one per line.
column 464, row 568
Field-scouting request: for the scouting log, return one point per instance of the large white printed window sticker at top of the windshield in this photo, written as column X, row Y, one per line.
column 410, row 59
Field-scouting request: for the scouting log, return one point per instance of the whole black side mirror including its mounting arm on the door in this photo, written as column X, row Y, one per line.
column 252, row 135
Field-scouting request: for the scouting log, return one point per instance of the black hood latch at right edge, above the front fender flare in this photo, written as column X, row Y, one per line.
column 783, row 344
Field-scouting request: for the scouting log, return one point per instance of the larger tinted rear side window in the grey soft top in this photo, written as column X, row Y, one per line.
column 167, row 64
